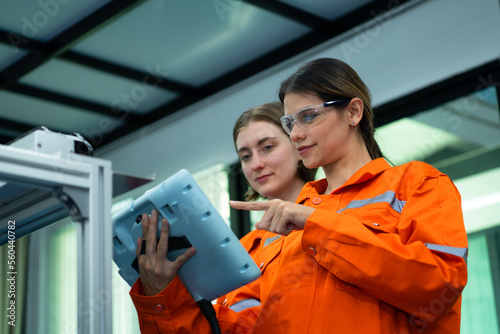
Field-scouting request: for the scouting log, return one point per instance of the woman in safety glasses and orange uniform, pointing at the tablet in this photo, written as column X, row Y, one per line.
column 371, row 248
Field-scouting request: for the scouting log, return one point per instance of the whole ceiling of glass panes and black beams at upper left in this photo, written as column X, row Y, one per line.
column 106, row 68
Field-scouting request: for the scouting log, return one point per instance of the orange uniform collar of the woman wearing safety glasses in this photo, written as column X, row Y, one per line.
column 365, row 173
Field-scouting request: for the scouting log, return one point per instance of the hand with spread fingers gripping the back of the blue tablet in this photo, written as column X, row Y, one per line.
column 155, row 270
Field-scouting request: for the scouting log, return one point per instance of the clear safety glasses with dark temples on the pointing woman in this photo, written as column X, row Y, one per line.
column 307, row 117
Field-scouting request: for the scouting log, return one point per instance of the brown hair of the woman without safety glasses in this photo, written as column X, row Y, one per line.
column 271, row 113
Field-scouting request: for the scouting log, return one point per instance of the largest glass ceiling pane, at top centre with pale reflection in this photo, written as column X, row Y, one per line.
column 190, row 41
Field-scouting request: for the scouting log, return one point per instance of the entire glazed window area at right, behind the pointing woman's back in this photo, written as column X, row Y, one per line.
column 461, row 138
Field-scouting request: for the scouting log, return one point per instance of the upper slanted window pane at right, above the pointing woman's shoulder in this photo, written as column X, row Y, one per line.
column 445, row 136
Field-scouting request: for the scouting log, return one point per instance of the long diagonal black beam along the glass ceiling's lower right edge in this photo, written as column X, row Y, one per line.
column 301, row 44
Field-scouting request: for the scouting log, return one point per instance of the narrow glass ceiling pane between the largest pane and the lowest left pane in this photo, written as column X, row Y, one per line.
column 109, row 90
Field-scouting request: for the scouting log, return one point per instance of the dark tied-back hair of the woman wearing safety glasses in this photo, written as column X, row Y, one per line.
column 332, row 79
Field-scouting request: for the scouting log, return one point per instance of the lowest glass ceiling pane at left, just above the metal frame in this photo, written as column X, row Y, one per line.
column 35, row 112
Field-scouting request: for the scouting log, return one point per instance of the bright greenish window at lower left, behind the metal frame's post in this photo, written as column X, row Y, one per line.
column 51, row 279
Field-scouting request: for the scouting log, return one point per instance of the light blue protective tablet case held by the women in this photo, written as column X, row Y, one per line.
column 220, row 265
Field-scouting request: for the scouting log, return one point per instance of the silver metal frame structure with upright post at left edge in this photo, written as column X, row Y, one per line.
column 57, row 186
